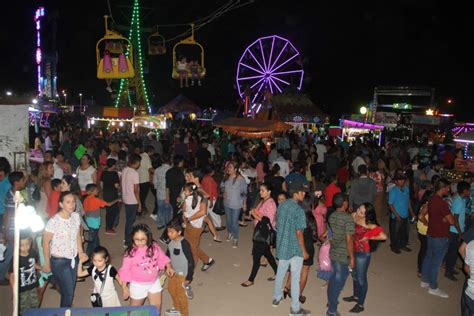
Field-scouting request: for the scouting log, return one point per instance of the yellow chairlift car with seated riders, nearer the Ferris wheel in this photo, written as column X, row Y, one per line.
column 182, row 66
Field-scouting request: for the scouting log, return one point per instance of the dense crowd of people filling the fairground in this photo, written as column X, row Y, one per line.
column 306, row 195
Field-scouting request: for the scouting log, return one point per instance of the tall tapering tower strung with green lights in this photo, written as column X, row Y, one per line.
column 138, row 82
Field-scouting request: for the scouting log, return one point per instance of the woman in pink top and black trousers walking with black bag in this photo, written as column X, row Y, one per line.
column 264, row 212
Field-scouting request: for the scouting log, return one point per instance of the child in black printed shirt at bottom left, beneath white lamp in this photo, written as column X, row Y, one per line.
column 27, row 278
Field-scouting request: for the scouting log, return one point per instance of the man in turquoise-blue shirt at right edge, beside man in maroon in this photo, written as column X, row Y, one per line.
column 456, row 231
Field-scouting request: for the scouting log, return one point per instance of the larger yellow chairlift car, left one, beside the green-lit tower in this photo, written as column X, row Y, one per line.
column 116, row 60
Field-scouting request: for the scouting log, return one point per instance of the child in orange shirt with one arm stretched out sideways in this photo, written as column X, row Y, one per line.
column 92, row 206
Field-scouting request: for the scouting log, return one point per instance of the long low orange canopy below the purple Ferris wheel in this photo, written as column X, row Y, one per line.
column 235, row 125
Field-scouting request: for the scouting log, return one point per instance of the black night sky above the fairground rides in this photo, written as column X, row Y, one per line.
column 347, row 47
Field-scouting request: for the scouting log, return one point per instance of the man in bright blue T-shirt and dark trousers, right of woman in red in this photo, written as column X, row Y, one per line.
column 400, row 209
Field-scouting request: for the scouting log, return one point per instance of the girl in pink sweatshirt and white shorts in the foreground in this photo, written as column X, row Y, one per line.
column 141, row 266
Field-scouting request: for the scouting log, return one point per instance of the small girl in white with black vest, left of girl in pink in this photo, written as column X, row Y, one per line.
column 101, row 271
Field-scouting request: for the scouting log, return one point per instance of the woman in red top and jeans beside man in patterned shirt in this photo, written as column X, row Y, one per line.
column 367, row 230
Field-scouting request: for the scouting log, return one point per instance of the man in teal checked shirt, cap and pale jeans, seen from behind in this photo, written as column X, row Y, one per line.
column 290, row 248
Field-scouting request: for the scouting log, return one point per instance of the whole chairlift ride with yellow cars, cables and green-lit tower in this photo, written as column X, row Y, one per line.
column 121, row 58
